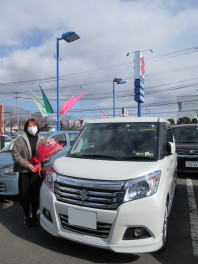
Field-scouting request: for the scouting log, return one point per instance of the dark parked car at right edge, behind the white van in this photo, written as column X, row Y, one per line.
column 186, row 137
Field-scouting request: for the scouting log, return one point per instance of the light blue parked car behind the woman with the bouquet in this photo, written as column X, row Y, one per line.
column 9, row 179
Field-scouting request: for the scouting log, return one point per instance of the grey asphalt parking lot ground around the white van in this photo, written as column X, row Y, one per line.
column 20, row 245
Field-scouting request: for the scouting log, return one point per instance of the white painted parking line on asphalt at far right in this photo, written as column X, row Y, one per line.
column 193, row 216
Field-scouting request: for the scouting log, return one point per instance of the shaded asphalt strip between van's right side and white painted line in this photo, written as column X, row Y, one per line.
column 179, row 247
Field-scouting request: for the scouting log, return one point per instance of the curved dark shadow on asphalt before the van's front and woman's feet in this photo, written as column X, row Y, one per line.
column 11, row 216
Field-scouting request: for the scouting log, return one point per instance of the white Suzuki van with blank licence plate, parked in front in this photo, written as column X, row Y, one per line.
column 115, row 188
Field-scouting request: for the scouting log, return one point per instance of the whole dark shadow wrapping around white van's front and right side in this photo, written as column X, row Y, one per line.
column 178, row 251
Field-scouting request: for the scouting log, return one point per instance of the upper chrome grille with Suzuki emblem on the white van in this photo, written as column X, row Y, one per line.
column 95, row 194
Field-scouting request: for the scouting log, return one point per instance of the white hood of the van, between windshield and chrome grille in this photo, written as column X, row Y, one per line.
column 103, row 169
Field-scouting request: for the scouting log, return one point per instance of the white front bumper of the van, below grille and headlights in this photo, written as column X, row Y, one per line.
column 147, row 213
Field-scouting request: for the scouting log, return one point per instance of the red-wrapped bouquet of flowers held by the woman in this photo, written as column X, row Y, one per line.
column 46, row 149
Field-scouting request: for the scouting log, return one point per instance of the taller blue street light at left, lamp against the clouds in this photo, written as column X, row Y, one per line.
column 68, row 37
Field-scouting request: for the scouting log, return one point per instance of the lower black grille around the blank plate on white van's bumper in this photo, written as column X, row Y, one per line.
column 102, row 230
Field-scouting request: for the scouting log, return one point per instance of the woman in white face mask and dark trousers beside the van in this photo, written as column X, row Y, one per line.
column 24, row 148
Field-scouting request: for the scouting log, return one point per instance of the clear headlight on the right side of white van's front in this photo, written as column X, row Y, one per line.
column 142, row 187
